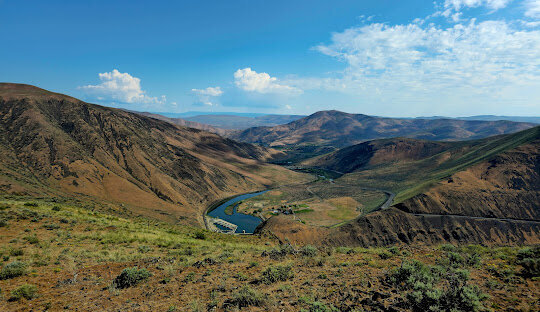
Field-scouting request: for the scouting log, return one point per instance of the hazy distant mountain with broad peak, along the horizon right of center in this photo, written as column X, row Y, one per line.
column 340, row 129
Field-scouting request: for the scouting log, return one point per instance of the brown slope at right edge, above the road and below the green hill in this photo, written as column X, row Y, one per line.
column 506, row 186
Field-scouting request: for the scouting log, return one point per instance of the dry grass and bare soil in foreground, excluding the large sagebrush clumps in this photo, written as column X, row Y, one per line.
column 80, row 253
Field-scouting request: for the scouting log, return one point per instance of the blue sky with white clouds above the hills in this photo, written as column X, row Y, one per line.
column 388, row 58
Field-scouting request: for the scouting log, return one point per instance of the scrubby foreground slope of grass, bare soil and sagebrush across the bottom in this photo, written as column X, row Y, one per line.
column 108, row 262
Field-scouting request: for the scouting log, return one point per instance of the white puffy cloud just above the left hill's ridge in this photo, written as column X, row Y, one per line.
column 121, row 87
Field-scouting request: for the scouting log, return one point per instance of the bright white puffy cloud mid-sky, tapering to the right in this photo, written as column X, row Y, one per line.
column 249, row 80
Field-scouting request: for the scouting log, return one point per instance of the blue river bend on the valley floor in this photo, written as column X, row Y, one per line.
column 247, row 223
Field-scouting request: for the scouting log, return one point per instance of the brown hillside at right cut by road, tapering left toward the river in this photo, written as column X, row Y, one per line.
column 496, row 201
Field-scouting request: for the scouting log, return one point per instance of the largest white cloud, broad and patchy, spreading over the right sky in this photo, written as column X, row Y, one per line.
column 487, row 60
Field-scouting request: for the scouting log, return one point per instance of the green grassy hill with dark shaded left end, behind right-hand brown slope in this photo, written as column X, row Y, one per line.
column 408, row 167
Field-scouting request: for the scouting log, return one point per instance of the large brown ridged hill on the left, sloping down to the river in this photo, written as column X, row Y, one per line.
column 52, row 144
